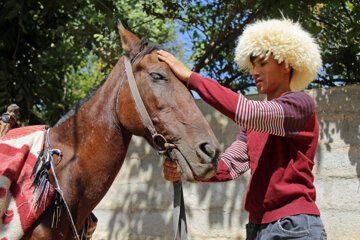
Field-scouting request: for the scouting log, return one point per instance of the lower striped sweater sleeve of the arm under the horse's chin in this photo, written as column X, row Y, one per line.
column 234, row 161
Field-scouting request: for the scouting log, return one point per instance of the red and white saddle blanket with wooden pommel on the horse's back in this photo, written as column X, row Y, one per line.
column 17, row 211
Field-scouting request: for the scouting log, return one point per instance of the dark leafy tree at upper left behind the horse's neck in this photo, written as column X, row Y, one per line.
column 53, row 52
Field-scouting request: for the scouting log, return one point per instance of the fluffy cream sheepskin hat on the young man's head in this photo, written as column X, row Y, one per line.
column 286, row 41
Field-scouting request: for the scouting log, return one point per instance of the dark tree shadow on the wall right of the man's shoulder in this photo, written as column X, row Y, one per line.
column 339, row 118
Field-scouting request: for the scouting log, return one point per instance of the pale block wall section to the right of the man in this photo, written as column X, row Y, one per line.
column 337, row 169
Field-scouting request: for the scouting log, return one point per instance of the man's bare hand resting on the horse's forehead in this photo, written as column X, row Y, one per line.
column 180, row 70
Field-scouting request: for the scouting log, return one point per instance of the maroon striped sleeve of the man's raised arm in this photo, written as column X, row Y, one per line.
column 283, row 116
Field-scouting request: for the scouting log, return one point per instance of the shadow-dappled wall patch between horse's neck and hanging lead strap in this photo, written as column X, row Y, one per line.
column 140, row 197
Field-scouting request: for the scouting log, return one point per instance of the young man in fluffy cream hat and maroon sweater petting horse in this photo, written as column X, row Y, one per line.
column 280, row 135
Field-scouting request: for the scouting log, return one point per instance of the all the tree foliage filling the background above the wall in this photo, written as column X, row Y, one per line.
column 53, row 52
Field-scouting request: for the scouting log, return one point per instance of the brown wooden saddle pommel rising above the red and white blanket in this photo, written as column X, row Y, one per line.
column 8, row 120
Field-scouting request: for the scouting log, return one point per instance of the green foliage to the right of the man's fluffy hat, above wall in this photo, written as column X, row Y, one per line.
column 337, row 25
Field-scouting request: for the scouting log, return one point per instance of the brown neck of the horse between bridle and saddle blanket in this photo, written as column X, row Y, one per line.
column 94, row 146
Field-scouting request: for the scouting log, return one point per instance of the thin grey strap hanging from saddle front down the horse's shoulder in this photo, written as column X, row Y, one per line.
column 49, row 159
